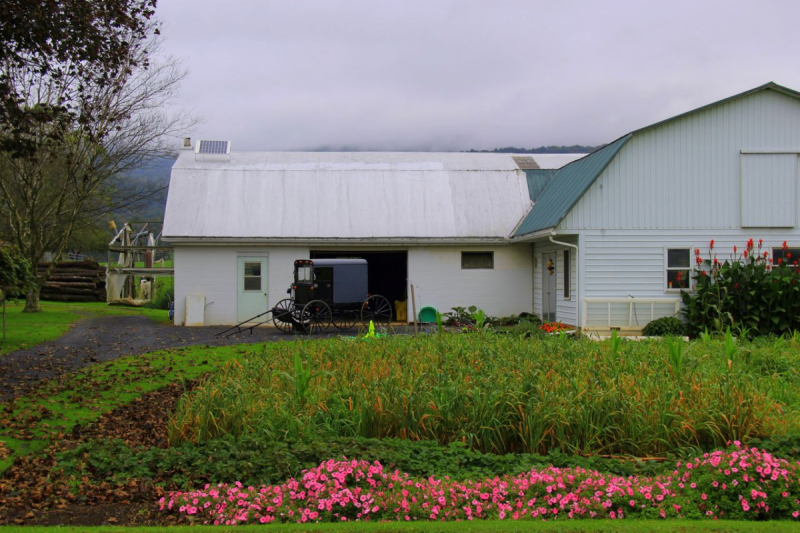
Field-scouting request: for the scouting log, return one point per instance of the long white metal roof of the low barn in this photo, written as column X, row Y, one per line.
column 323, row 195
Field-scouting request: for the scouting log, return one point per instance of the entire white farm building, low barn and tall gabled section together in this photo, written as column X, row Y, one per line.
column 603, row 241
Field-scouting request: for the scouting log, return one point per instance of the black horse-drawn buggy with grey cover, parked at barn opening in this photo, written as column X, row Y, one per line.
column 329, row 292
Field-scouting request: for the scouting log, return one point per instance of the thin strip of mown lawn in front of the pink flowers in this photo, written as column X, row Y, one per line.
column 487, row 526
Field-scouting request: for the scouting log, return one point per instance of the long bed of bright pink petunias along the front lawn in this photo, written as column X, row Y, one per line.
column 738, row 483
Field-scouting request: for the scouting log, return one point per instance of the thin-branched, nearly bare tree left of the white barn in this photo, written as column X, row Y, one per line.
column 72, row 179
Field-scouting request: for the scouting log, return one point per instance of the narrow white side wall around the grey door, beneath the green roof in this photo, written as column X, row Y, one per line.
column 566, row 309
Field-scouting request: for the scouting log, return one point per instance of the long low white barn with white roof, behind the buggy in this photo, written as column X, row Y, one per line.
column 441, row 221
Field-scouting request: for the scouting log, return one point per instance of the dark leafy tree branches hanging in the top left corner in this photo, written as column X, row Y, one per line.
column 79, row 46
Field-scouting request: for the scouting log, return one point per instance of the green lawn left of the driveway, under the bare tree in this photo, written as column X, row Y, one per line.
column 24, row 330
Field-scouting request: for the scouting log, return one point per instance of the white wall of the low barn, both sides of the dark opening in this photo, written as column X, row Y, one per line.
column 435, row 271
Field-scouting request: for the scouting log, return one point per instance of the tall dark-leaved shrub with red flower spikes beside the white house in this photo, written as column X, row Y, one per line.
column 747, row 293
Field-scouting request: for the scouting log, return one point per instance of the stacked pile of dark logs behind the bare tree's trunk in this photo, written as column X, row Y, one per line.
column 74, row 281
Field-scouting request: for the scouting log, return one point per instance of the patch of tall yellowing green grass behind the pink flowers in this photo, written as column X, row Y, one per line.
column 504, row 394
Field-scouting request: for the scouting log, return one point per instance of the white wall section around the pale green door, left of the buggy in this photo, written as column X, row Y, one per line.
column 212, row 271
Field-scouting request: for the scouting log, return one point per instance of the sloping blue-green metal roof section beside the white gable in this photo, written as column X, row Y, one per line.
column 567, row 187
